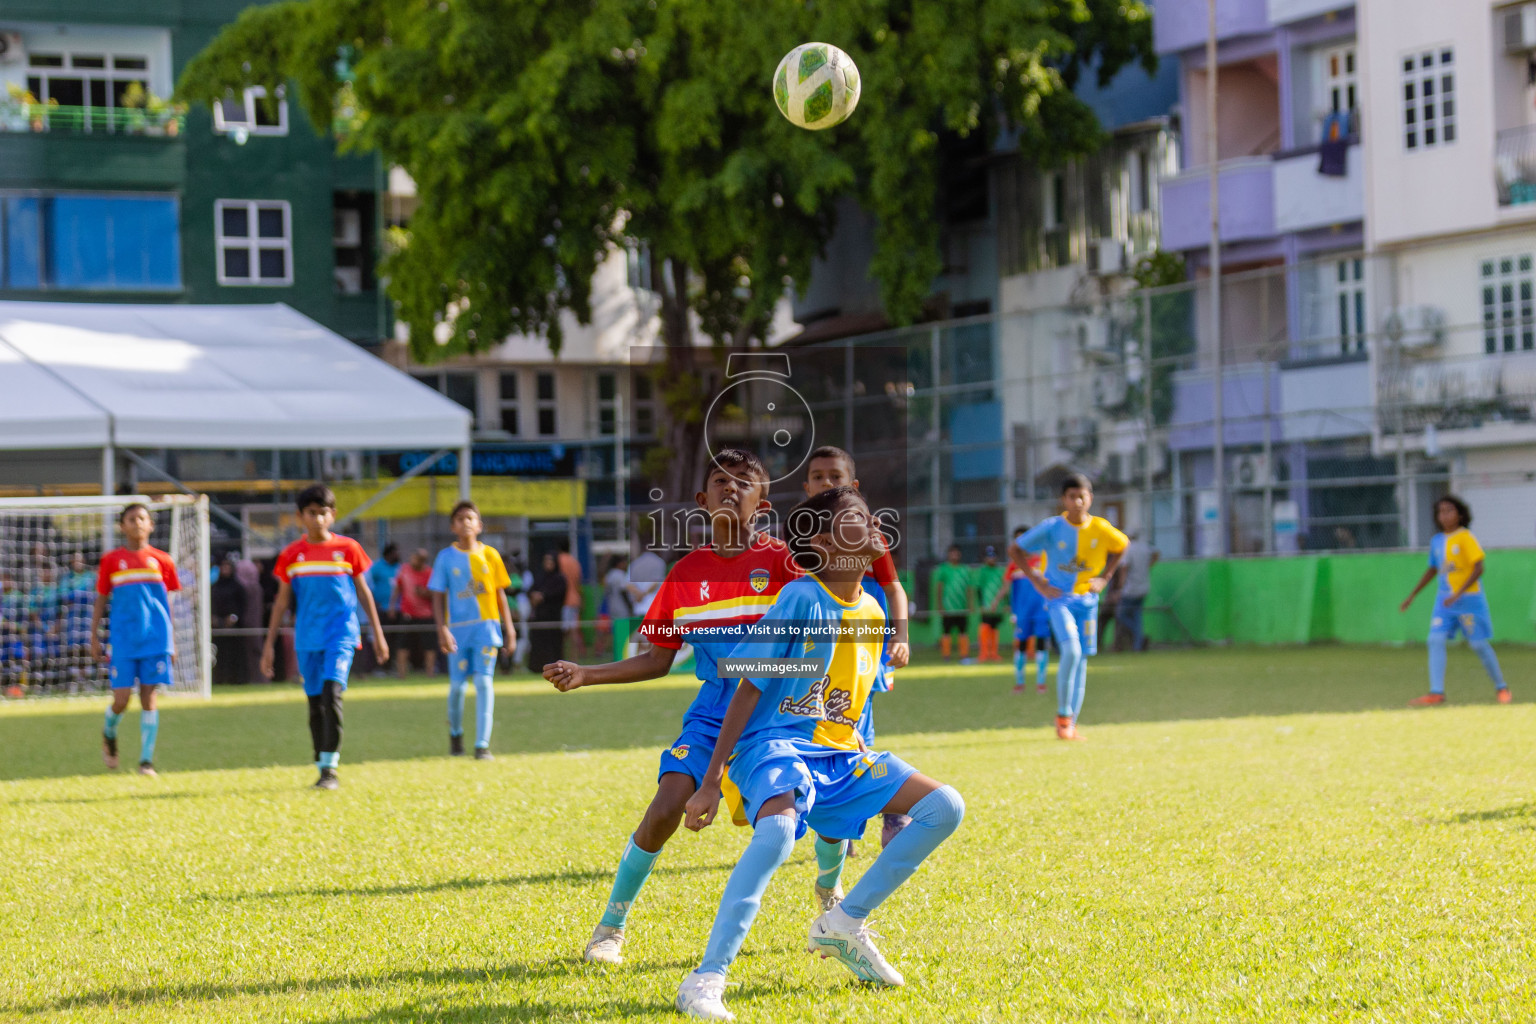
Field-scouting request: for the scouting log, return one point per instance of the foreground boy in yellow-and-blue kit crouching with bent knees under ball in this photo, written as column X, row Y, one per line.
column 792, row 739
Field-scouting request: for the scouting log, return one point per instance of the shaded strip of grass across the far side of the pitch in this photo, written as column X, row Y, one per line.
column 930, row 698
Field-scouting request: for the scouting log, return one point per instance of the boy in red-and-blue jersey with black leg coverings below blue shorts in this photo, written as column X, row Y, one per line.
column 326, row 573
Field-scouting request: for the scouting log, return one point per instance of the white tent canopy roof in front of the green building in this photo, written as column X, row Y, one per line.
column 205, row 377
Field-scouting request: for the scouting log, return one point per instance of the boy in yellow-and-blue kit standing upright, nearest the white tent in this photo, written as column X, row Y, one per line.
column 469, row 603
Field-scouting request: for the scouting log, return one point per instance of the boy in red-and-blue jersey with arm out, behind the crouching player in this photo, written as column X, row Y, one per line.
column 706, row 601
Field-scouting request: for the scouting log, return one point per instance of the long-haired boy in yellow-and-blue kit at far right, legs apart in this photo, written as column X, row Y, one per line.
column 1460, row 604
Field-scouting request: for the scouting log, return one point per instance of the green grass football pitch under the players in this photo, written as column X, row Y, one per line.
column 1248, row 836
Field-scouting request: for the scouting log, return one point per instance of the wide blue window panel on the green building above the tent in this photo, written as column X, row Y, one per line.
column 91, row 243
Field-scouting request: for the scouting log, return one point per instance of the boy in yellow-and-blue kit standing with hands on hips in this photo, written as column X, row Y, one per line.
column 1081, row 552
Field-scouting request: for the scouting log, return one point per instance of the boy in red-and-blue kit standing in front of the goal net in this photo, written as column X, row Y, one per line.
column 136, row 581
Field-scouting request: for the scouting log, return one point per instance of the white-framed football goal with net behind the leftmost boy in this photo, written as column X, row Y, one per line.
column 50, row 555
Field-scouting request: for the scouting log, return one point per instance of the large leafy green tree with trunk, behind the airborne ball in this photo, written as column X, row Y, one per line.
column 543, row 133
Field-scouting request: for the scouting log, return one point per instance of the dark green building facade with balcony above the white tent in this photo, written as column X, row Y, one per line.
column 110, row 194
